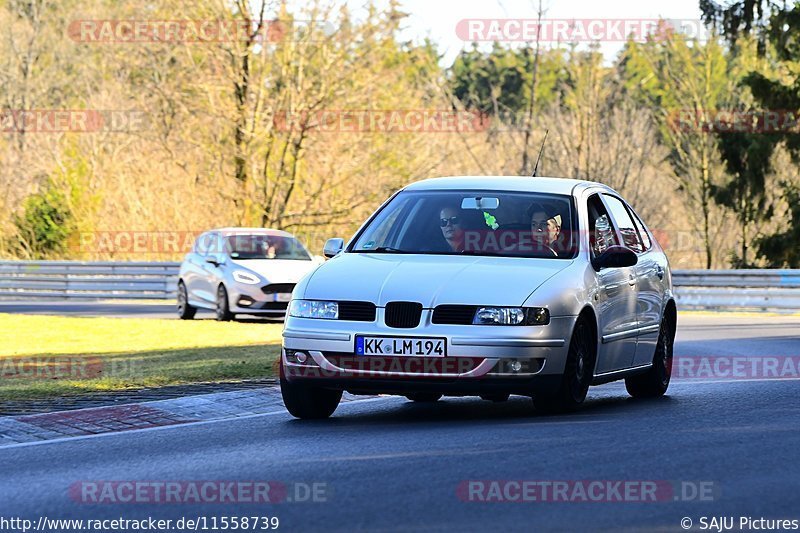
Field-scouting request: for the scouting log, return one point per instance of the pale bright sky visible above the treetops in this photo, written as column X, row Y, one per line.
column 437, row 19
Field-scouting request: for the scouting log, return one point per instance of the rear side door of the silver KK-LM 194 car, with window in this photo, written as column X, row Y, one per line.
column 650, row 274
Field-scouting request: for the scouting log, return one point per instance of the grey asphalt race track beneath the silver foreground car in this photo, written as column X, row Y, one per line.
column 725, row 449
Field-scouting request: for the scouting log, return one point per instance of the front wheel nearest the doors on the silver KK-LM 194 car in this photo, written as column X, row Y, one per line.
column 578, row 373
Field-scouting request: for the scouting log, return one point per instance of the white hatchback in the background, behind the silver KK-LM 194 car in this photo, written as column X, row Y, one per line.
column 249, row 271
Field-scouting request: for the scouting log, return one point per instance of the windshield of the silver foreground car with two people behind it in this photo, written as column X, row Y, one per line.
column 473, row 223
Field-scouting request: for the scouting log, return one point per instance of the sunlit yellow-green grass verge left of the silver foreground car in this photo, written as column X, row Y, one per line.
column 43, row 356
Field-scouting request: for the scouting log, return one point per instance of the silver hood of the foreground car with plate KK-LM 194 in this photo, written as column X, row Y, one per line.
column 430, row 279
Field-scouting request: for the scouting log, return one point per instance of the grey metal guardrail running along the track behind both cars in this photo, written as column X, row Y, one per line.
column 702, row 289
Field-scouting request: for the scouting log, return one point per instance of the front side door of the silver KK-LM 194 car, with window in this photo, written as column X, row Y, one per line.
column 616, row 305
